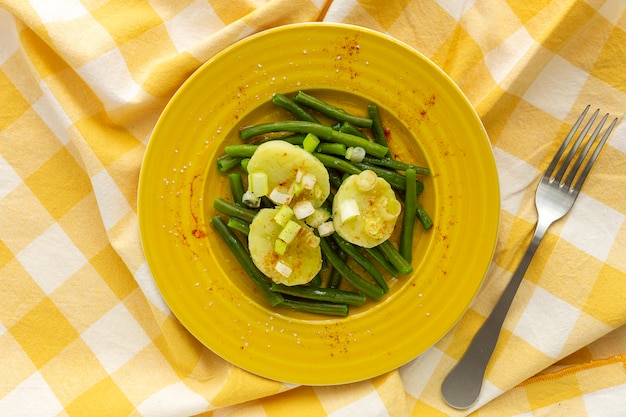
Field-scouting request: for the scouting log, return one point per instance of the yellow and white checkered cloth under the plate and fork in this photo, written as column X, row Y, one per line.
column 83, row 331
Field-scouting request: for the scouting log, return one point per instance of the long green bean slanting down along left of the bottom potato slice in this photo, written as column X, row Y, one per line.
column 242, row 255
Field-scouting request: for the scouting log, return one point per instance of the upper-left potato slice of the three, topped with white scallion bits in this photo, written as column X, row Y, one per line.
column 291, row 169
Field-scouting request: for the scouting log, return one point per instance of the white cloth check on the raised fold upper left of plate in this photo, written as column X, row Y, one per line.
column 109, row 77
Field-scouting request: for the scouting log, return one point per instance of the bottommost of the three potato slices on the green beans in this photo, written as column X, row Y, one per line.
column 302, row 258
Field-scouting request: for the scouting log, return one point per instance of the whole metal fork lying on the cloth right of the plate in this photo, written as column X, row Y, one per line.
column 556, row 194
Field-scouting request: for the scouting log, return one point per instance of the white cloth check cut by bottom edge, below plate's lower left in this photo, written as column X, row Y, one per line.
column 173, row 401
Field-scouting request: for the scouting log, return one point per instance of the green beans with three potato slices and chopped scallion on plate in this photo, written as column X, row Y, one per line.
column 309, row 200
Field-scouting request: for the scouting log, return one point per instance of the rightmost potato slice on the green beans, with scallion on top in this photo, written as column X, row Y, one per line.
column 365, row 209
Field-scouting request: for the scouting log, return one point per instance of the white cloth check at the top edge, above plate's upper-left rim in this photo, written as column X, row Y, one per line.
column 195, row 24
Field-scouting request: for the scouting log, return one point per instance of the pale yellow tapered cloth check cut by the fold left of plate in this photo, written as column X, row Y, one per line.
column 84, row 216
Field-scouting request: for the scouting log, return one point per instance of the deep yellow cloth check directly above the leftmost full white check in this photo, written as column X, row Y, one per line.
column 60, row 183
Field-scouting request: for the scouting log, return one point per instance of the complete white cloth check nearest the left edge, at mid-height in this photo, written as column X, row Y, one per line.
column 52, row 258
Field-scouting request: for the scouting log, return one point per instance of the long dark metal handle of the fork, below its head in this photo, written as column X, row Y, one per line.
column 461, row 387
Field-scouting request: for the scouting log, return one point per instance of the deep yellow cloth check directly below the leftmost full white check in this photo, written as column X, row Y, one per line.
column 43, row 332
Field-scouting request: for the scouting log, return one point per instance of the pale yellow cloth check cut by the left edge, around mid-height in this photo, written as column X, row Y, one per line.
column 12, row 232
